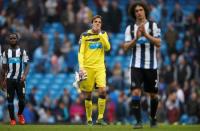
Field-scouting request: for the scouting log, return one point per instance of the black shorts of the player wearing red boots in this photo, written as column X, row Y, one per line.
column 15, row 86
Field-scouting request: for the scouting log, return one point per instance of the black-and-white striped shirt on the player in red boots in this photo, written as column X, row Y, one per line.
column 15, row 59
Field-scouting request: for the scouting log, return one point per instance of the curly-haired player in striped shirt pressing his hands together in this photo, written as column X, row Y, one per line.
column 143, row 37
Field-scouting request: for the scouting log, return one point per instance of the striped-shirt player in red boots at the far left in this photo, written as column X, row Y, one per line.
column 15, row 70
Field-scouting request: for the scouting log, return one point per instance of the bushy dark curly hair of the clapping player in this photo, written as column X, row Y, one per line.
column 138, row 3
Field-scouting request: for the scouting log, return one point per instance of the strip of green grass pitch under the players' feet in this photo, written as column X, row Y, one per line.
column 4, row 127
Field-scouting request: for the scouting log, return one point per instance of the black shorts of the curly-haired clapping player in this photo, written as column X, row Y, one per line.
column 146, row 78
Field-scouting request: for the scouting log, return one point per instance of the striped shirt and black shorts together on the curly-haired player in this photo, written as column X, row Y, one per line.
column 143, row 60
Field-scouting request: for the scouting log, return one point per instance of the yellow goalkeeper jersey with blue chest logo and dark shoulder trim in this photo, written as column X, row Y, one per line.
column 92, row 49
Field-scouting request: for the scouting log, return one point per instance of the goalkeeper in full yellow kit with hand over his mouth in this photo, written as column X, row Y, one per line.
column 93, row 44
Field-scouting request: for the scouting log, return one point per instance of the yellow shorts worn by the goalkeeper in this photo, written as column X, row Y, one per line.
column 94, row 76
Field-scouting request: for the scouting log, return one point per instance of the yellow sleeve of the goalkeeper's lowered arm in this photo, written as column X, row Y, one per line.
column 81, row 53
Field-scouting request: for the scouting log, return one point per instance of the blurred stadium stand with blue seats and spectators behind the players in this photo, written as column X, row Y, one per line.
column 50, row 30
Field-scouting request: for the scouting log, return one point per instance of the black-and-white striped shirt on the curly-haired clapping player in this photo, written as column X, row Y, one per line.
column 144, row 53
